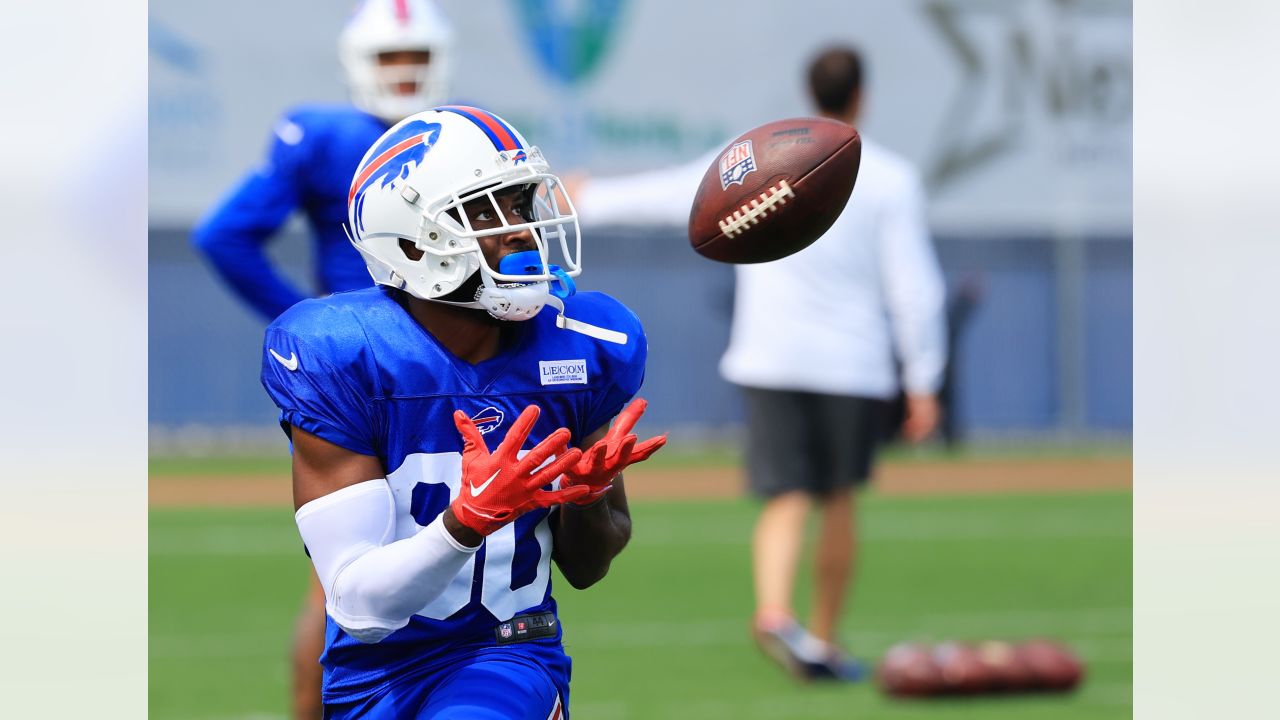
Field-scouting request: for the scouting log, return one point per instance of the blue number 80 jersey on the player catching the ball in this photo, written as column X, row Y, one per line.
column 358, row 371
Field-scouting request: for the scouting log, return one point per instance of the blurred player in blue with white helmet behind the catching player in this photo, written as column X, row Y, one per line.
column 395, row 54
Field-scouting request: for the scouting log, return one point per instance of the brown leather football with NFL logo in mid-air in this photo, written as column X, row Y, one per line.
column 775, row 190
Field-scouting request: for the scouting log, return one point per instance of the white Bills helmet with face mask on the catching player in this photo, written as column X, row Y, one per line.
column 414, row 184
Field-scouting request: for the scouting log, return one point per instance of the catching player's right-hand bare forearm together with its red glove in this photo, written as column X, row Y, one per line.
column 593, row 531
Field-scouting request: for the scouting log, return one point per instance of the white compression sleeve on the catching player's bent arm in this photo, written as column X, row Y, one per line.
column 373, row 586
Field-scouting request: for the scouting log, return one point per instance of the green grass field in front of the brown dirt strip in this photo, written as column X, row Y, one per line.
column 665, row 635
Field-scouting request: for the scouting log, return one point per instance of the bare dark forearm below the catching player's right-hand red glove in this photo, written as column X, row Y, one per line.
column 589, row 539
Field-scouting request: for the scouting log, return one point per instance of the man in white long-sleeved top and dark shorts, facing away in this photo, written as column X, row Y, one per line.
column 816, row 347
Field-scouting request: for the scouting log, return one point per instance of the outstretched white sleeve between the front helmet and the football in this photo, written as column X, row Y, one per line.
column 655, row 198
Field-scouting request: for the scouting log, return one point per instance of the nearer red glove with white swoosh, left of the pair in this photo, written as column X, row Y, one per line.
column 497, row 489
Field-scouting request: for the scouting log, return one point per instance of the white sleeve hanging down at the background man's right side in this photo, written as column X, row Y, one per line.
column 916, row 293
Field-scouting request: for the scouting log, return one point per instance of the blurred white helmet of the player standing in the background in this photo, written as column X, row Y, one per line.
column 386, row 26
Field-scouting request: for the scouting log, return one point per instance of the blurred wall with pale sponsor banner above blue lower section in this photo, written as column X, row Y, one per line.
column 1020, row 113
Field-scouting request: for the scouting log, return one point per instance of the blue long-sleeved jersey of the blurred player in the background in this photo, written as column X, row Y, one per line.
column 313, row 156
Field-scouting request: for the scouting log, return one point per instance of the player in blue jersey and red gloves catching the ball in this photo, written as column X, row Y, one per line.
column 452, row 434
